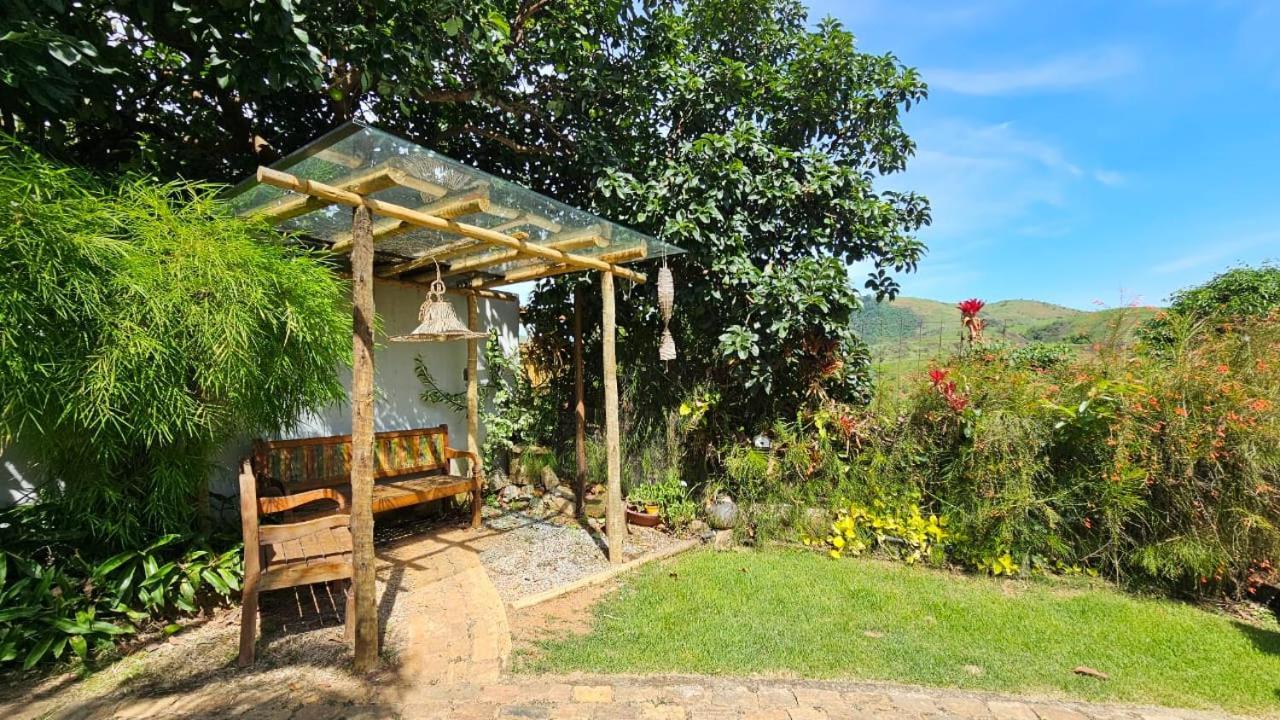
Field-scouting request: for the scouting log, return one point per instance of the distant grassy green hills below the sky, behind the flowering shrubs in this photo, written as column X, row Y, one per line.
column 908, row 334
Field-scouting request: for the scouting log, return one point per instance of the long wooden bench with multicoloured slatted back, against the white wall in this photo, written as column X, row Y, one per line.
column 410, row 468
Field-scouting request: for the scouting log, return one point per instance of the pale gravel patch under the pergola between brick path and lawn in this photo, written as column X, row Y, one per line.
column 537, row 550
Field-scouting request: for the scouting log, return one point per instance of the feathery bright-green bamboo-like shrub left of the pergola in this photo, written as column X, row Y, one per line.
column 143, row 329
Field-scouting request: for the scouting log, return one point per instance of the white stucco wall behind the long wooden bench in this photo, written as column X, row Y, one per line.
column 397, row 403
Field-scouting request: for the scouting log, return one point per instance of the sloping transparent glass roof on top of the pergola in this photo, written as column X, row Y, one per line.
column 390, row 168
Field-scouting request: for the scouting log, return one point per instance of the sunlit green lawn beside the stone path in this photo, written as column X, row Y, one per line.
column 784, row 613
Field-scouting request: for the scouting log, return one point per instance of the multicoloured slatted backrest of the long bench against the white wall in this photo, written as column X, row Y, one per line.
column 296, row 466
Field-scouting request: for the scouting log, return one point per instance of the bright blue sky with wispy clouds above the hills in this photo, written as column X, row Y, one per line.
column 1086, row 152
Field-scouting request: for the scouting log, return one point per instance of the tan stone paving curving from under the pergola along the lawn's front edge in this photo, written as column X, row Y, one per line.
column 454, row 644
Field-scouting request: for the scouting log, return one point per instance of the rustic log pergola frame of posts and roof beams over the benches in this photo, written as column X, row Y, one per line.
column 479, row 259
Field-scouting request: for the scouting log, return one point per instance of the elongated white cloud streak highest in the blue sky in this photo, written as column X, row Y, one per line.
column 1066, row 72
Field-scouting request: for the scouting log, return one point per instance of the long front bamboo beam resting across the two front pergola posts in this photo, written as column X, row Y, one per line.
column 330, row 194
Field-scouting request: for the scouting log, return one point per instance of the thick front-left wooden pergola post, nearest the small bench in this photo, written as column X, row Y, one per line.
column 363, row 441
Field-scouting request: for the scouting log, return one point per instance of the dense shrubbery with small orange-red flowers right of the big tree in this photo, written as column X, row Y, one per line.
column 1153, row 468
